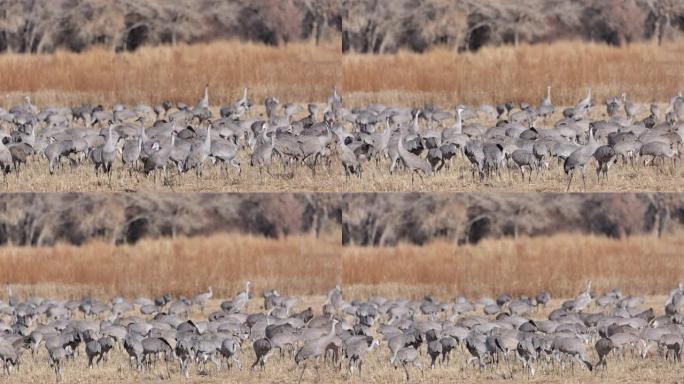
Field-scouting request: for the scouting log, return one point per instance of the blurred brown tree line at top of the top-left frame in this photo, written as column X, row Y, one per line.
column 38, row 26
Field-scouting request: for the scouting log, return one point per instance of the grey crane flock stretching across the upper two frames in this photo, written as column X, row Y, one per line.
column 425, row 141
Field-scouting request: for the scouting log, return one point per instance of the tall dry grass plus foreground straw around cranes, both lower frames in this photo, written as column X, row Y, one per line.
column 303, row 266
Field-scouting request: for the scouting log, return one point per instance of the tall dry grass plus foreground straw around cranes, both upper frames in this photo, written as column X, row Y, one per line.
column 303, row 73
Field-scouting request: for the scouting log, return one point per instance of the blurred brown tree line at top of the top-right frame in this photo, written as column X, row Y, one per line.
column 379, row 26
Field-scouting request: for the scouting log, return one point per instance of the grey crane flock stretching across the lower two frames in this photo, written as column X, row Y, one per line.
column 506, row 335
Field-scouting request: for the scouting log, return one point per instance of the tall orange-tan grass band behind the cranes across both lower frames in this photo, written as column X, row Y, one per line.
column 305, row 265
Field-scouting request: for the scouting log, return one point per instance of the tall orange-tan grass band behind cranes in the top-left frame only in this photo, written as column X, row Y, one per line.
column 297, row 72
